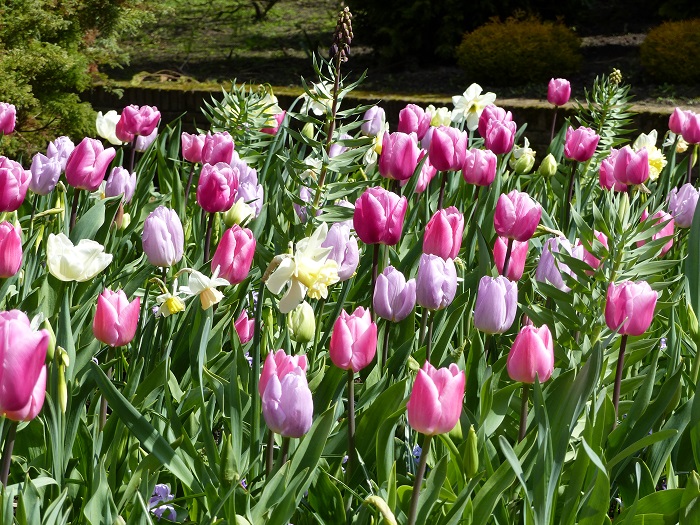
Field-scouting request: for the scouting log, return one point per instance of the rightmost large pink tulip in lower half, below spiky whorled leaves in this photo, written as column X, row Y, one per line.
column 629, row 307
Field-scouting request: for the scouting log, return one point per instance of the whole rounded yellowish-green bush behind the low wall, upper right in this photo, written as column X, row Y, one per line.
column 519, row 51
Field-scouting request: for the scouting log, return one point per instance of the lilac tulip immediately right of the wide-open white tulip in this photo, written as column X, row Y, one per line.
column 163, row 238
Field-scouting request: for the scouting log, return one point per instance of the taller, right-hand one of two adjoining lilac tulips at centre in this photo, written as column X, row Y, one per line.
column 436, row 282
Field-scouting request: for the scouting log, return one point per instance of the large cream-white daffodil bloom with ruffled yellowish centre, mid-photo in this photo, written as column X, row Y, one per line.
column 307, row 272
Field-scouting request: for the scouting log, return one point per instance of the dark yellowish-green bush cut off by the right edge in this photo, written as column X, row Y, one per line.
column 671, row 52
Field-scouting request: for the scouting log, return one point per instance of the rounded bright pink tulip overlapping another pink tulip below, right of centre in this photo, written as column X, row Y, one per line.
column 517, row 216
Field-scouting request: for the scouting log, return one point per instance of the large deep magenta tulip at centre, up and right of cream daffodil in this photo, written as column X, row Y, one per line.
column 378, row 217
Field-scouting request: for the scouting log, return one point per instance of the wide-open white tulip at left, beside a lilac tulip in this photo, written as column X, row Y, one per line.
column 78, row 263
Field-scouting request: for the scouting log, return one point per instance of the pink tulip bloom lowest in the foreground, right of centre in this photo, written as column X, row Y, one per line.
column 436, row 399
